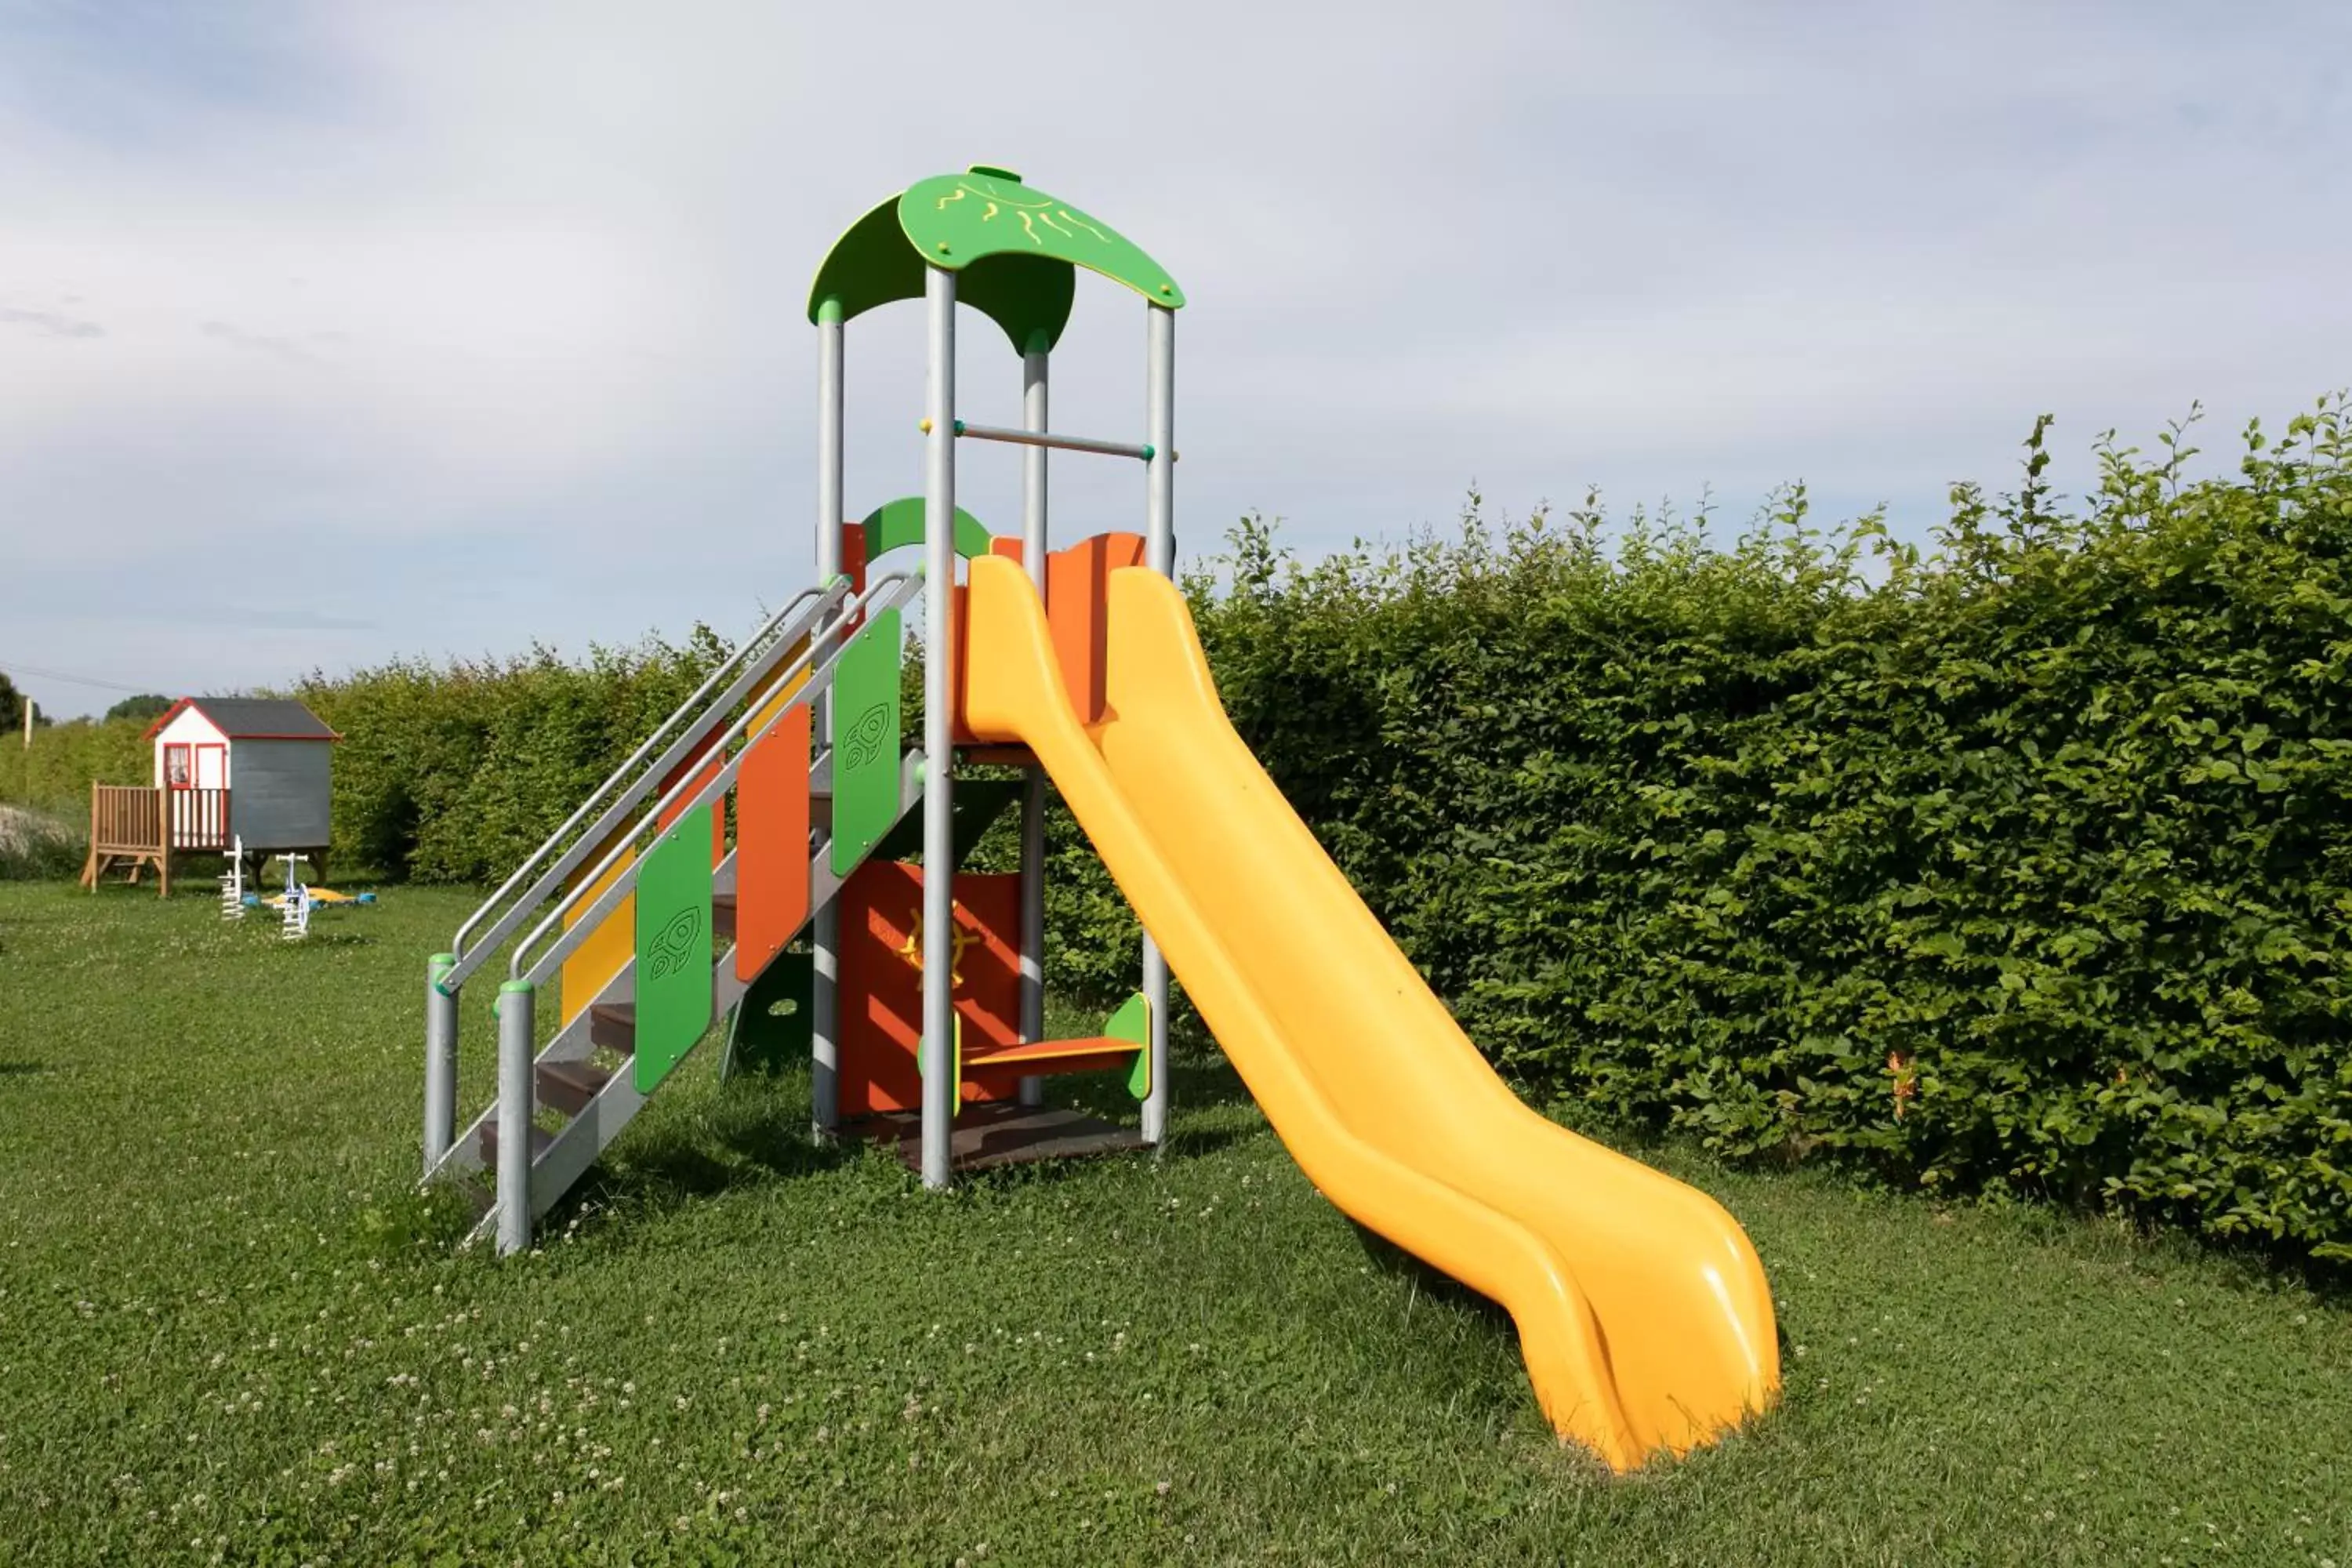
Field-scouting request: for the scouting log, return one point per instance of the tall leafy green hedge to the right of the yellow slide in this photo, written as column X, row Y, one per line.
column 2022, row 866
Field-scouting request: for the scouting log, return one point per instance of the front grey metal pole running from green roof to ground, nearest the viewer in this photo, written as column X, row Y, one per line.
column 940, row 739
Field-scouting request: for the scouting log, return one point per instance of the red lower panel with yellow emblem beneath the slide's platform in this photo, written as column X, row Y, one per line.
column 883, row 984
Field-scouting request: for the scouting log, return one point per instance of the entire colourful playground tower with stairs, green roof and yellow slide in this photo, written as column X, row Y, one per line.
column 749, row 862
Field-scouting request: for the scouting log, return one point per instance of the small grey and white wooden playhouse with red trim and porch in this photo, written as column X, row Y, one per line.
column 229, row 770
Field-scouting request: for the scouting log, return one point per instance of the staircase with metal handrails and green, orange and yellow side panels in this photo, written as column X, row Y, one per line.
column 561, row 1104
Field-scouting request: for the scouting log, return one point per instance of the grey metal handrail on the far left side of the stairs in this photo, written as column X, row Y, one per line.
column 570, row 845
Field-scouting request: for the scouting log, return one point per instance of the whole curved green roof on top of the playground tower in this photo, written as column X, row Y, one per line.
column 1010, row 246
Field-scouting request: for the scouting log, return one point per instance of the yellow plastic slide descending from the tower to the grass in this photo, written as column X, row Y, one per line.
column 1643, row 1311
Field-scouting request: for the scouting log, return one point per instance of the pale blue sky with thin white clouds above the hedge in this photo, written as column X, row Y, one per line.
column 333, row 333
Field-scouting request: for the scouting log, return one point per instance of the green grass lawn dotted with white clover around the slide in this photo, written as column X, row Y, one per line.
column 227, row 1334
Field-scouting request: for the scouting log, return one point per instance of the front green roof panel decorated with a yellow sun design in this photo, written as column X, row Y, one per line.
column 961, row 220
